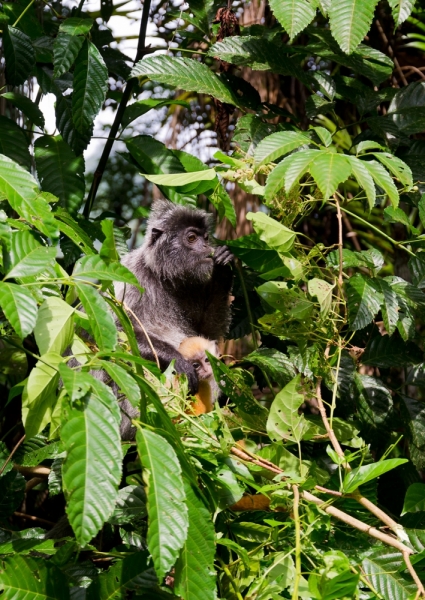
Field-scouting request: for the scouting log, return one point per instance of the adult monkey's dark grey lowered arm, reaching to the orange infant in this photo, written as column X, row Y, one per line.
column 166, row 353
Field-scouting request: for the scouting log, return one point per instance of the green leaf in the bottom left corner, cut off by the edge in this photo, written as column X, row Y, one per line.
column 32, row 578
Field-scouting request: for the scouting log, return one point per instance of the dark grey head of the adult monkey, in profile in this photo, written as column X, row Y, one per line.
column 177, row 245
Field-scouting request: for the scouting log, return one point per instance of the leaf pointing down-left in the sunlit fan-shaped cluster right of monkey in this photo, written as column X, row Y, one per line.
column 288, row 172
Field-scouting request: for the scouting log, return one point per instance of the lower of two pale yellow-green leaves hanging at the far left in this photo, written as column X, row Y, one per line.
column 39, row 394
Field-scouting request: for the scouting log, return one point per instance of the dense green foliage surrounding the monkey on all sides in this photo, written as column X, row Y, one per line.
column 306, row 481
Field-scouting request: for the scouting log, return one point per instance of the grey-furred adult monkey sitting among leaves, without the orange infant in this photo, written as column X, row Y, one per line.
column 186, row 287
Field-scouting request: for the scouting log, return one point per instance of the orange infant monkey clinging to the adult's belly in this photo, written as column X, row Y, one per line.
column 193, row 350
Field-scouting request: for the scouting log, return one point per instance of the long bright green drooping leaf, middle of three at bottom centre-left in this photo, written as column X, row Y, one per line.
column 166, row 500
